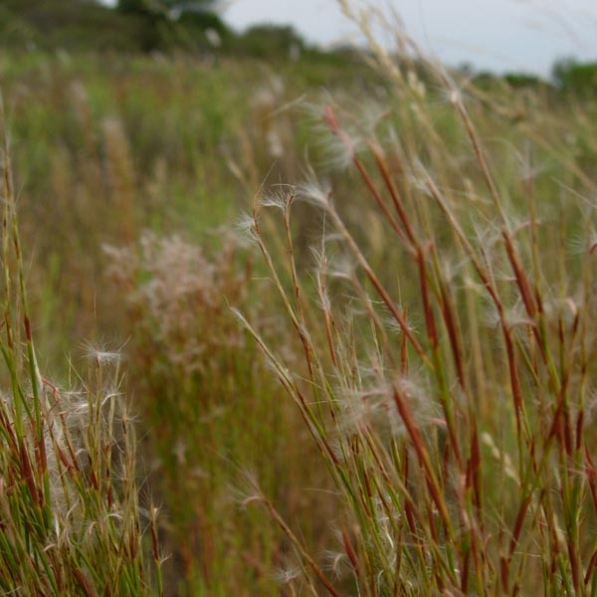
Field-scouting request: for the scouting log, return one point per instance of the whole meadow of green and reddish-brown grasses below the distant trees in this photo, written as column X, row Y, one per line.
column 276, row 330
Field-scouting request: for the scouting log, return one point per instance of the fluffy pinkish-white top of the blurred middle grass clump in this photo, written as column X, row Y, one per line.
column 172, row 286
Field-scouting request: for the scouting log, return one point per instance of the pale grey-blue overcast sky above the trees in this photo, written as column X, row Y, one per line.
column 499, row 35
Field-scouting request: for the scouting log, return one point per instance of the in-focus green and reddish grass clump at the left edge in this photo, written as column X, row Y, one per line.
column 70, row 518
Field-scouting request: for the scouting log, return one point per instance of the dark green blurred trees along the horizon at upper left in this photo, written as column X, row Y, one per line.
column 139, row 26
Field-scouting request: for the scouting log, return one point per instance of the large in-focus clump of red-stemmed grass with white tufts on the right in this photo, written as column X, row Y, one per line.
column 451, row 396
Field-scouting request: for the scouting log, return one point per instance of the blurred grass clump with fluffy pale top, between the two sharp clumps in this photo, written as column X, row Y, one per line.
column 211, row 408
